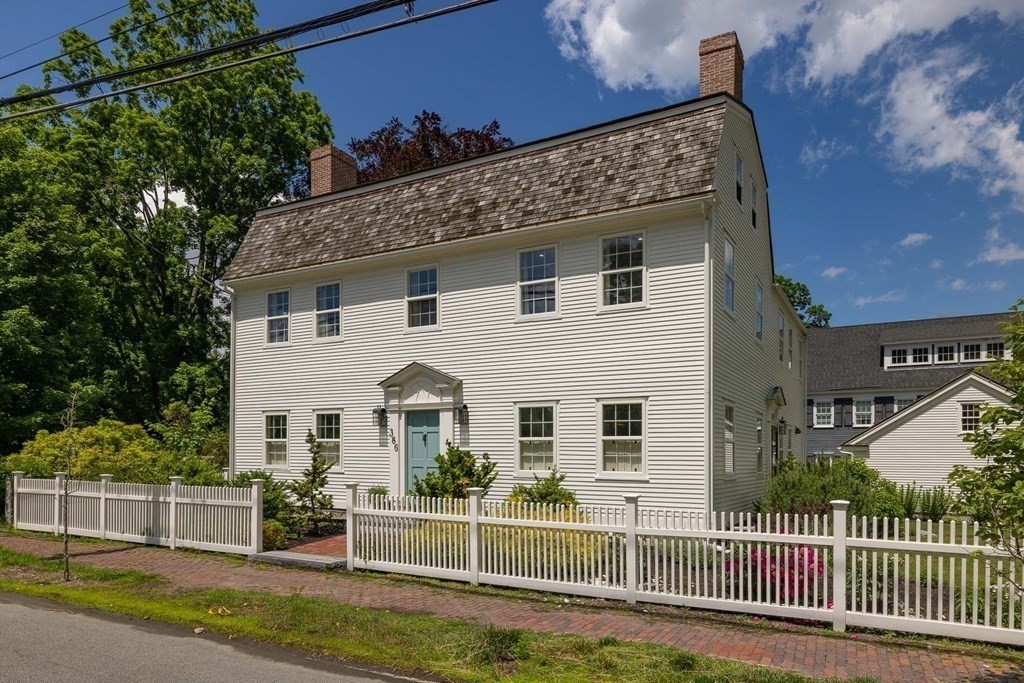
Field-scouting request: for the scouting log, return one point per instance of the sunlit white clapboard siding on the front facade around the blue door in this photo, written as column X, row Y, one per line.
column 657, row 353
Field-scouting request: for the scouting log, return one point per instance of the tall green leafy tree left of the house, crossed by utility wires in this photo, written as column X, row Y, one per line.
column 173, row 178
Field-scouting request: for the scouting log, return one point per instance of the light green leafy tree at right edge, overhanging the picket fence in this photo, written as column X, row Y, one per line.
column 993, row 492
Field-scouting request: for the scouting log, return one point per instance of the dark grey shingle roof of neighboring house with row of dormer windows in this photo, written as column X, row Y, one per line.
column 850, row 358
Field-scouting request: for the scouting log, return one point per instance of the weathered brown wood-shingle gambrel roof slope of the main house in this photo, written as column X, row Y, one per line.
column 619, row 167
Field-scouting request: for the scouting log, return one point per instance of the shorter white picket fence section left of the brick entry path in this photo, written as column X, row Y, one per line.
column 224, row 520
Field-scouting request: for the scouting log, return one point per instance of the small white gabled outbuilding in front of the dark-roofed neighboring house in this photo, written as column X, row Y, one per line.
column 923, row 443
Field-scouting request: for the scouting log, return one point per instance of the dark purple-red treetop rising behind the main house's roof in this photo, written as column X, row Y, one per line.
column 398, row 149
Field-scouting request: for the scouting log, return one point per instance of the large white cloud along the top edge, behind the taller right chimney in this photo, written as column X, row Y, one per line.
column 653, row 44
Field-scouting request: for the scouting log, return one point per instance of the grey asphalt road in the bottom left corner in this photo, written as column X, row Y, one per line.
column 46, row 642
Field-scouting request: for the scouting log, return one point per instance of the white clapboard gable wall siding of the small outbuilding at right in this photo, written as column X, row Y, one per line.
column 925, row 449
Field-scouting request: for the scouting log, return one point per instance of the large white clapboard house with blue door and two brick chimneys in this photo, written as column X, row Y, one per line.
column 602, row 302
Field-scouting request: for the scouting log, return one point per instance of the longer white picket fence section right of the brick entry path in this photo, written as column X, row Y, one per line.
column 893, row 575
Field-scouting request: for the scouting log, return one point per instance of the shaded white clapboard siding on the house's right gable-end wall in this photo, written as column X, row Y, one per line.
column 746, row 368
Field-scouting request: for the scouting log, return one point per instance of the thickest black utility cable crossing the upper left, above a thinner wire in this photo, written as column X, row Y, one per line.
column 254, row 41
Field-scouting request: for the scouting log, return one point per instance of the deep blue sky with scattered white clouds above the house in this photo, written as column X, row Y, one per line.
column 890, row 131
